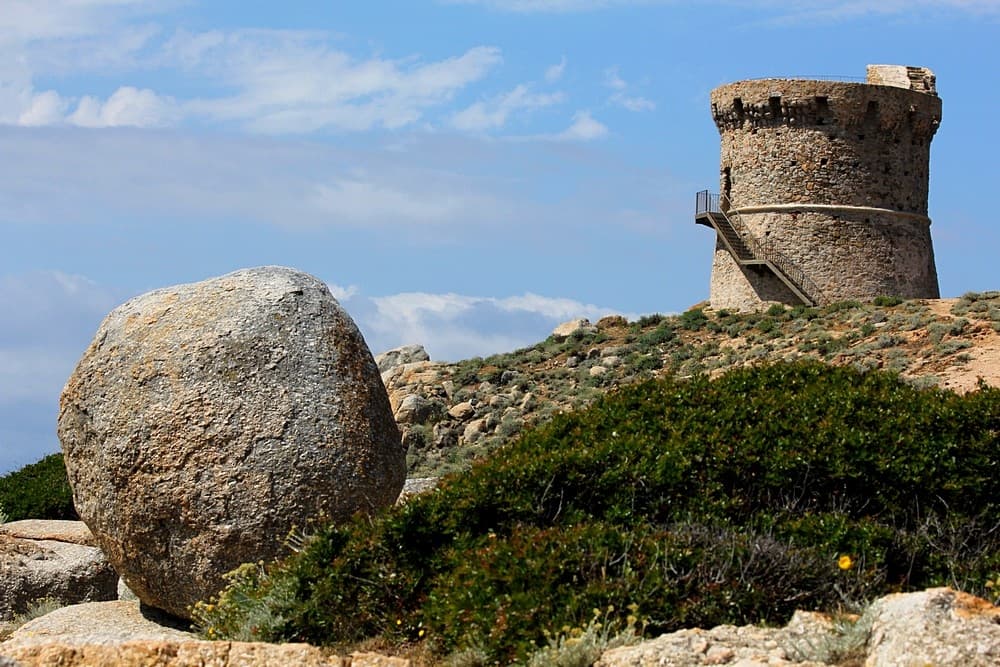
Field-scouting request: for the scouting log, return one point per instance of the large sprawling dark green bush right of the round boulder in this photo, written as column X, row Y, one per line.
column 699, row 502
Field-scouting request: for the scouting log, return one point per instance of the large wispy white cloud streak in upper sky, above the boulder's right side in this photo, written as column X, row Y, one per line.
column 293, row 82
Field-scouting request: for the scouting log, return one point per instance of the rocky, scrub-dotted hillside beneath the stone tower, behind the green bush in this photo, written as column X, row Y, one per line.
column 451, row 413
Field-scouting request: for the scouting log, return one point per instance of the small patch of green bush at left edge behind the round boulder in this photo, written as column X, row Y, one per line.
column 38, row 491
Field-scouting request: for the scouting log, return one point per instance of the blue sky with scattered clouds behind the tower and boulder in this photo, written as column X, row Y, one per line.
column 465, row 174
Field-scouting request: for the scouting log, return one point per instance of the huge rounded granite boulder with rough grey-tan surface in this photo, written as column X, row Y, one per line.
column 206, row 420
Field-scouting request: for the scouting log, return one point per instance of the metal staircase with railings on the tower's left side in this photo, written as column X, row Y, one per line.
column 749, row 251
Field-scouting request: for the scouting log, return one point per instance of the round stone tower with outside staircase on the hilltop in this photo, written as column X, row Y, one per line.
column 823, row 193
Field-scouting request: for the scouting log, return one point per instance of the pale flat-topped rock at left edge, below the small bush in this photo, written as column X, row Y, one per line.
column 50, row 559
